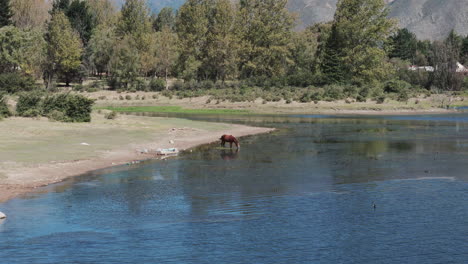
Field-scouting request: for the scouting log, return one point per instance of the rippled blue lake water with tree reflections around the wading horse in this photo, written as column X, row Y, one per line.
column 303, row 194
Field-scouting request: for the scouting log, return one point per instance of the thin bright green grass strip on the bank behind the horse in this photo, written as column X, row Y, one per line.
column 173, row 109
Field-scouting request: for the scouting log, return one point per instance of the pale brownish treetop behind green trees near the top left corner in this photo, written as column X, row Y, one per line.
column 30, row 13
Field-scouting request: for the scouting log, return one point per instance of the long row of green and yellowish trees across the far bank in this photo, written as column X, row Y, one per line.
column 217, row 41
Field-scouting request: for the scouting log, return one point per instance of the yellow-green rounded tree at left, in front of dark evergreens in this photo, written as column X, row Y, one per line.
column 64, row 49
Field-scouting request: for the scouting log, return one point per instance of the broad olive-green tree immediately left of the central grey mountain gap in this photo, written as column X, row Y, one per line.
column 264, row 29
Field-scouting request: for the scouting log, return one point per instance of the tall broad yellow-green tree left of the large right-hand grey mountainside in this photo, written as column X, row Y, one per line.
column 360, row 30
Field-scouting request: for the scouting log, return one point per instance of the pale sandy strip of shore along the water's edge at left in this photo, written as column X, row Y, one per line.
column 22, row 178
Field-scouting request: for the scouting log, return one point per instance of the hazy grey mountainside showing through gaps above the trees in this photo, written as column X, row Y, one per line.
column 428, row 19
